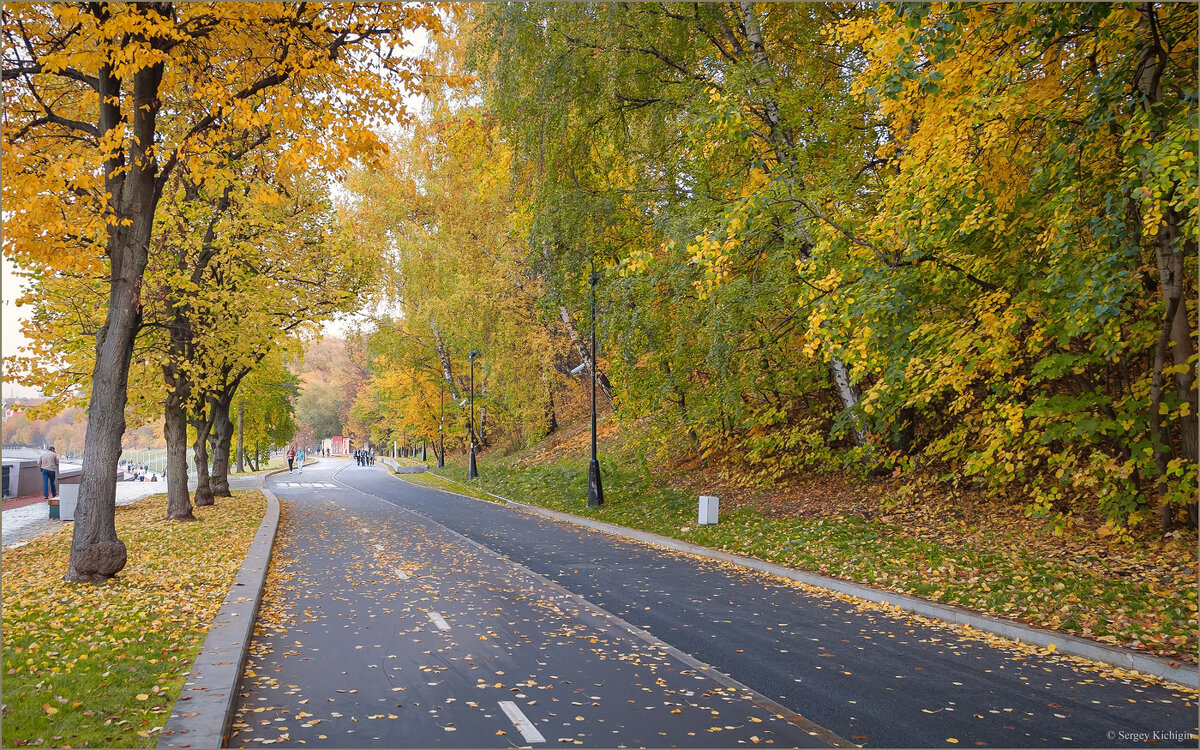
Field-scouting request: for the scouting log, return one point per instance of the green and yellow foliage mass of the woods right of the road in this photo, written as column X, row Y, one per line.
column 949, row 244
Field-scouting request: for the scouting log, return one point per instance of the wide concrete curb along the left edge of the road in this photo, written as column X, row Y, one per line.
column 202, row 716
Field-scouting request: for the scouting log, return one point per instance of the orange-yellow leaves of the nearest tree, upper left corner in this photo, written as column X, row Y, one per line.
column 308, row 75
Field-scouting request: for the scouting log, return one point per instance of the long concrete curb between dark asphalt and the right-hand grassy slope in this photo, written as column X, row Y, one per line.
column 1064, row 644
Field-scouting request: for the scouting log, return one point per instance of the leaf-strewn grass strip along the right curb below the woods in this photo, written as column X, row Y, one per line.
column 1142, row 596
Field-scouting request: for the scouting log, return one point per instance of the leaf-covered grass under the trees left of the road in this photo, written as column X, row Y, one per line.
column 101, row 665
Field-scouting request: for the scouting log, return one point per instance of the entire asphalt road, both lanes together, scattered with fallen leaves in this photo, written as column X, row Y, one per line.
column 862, row 676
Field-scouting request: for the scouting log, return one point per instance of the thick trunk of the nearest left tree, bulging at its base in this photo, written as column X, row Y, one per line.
column 97, row 553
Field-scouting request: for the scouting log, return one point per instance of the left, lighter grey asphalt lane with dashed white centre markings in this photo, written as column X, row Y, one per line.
column 391, row 631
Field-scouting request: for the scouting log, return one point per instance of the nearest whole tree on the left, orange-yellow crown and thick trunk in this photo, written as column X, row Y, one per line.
column 105, row 101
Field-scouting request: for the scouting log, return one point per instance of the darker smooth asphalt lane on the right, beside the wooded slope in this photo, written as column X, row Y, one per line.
column 875, row 679
